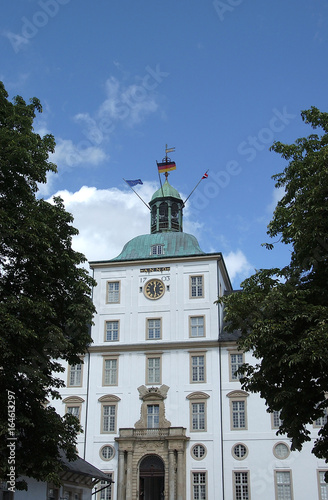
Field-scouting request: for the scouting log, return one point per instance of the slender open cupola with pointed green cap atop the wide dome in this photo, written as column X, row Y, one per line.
column 166, row 210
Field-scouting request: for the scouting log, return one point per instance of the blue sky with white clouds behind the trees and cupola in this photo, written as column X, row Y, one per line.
column 217, row 80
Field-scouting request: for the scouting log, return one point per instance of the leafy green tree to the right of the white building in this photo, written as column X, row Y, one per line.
column 282, row 313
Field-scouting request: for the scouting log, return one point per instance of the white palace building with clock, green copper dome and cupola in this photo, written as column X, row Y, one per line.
column 163, row 412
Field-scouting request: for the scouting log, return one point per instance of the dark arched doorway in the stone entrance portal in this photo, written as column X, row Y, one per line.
column 151, row 478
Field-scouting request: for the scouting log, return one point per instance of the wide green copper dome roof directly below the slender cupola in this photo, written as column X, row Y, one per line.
column 172, row 244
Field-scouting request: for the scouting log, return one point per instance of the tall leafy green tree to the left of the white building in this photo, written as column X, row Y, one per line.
column 45, row 304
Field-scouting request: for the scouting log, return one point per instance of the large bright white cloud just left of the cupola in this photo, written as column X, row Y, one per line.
column 107, row 218
